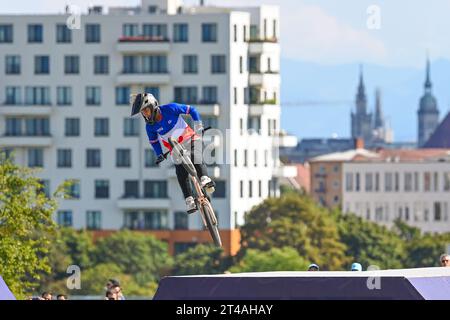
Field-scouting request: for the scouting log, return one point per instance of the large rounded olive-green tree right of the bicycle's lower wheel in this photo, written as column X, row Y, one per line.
column 295, row 221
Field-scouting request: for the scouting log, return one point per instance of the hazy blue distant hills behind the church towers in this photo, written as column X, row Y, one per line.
column 401, row 90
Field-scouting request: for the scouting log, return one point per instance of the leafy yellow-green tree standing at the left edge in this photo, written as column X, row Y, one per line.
column 26, row 227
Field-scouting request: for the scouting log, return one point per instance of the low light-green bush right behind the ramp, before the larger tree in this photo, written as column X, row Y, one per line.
column 276, row 259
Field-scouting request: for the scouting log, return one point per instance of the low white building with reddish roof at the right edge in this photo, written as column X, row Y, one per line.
column 412, row 185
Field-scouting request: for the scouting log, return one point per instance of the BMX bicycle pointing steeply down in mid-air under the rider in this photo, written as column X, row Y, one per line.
column 201, row 197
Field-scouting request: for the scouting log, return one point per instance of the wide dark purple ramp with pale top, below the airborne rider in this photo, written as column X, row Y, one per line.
column 402, row 284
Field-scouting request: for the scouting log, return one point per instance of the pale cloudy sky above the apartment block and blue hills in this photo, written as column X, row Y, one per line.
column 329, row 32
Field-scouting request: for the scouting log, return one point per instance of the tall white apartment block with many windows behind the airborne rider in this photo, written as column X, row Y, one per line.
column 64, row 96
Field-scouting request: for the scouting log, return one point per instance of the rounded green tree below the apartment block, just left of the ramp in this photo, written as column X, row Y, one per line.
column 140, row 255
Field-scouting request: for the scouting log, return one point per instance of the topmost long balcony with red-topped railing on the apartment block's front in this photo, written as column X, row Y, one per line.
column 143, row 44
